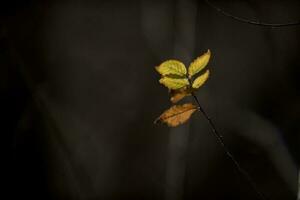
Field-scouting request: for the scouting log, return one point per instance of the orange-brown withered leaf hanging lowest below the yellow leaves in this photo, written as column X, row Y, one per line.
column 177, row 114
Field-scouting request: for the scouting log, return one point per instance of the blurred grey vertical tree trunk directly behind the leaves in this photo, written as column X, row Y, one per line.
column 184, row 47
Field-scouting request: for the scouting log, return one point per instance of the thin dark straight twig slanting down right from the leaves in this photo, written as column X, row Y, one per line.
column 227, row 151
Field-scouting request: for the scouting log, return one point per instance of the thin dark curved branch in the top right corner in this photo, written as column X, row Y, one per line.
column 248, row 21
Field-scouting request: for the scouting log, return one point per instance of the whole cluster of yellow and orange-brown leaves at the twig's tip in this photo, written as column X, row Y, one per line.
column 181, row 83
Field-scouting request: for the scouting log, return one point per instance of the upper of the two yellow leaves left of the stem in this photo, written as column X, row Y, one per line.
column 171, row 67
